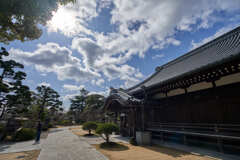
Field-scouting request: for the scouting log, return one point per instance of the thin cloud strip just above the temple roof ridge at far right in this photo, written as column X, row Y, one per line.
column 217, row 34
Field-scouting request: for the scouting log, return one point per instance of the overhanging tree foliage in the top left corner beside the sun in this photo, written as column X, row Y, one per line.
column 21, row 19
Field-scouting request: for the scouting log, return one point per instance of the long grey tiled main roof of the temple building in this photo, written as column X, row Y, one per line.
column 217, row 50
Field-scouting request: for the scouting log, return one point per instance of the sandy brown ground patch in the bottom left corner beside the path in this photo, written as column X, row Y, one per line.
column 28, row 155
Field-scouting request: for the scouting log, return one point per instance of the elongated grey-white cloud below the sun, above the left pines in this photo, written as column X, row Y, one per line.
column 51, row 57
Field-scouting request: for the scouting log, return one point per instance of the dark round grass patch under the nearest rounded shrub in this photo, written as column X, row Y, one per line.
column 112, row 146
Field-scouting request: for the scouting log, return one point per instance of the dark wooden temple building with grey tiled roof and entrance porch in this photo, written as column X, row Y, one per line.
column 194, row 99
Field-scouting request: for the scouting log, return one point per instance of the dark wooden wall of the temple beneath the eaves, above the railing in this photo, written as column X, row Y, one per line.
column 215, row 105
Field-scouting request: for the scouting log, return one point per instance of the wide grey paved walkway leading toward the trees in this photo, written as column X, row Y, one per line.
column 62, row 144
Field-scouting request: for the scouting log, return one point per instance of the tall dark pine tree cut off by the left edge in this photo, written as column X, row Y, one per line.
column 14, row 96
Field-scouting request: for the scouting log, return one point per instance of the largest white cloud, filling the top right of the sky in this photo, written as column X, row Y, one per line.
column 156, row 22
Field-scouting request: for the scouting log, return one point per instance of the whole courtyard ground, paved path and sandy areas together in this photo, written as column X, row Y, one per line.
column 71, row 143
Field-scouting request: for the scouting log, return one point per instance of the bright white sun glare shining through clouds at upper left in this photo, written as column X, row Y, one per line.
column 62, row 19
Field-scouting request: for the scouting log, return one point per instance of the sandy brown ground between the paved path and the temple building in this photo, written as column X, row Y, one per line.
column 130, row 152
